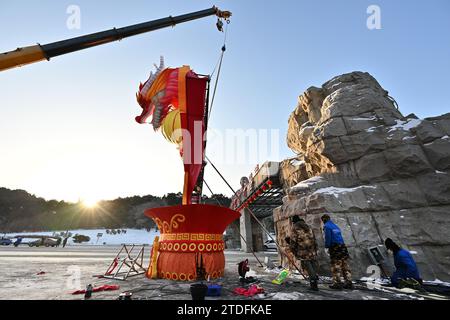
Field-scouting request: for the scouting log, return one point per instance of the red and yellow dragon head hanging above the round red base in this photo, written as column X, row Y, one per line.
column 174, row 99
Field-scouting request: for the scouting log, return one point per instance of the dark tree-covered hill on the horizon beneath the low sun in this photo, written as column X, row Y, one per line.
column 21, row 211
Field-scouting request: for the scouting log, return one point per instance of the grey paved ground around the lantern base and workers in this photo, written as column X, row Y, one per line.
column 72, row 268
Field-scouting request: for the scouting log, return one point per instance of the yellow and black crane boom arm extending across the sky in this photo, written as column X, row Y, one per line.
column 36, row 53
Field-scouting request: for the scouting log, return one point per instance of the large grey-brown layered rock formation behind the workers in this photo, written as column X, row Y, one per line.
column 378, row 173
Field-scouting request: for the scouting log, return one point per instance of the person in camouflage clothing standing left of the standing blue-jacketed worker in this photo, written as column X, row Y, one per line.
column 303, row 245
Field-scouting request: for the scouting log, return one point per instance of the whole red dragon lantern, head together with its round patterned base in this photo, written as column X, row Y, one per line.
column 191, row 244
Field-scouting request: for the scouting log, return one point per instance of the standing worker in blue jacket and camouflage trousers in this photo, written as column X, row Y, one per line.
column 338, row 254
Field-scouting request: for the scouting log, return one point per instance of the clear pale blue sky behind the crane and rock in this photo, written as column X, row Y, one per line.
column 67, row 126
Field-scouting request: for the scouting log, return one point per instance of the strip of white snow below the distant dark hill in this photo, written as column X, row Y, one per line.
column 132, row 236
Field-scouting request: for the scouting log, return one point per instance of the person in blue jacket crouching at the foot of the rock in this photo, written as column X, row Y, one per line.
column 405, row 265
